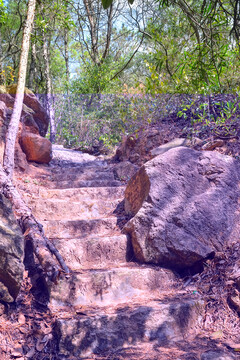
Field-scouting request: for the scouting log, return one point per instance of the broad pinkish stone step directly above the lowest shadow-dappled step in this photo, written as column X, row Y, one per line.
column 116, row 285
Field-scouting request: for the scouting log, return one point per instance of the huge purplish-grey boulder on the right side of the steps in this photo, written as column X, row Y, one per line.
column 184, row 205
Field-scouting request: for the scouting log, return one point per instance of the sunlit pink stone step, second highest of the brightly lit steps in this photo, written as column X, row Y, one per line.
column 53, row 209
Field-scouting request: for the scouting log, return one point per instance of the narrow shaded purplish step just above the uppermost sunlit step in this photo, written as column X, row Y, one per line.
column 84, row 183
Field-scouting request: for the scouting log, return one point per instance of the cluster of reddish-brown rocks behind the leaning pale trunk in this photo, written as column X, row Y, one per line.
column 31, row 144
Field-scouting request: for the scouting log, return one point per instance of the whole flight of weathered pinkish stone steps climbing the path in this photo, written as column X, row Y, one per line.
column 109, row 302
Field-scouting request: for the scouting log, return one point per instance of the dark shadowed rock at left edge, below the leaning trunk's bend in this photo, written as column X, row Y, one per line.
column 11, row 253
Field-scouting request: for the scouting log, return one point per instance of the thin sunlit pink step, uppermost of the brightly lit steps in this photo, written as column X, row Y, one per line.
column 79, row 194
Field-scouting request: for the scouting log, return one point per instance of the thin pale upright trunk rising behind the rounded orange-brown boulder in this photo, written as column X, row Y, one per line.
column 49, row 96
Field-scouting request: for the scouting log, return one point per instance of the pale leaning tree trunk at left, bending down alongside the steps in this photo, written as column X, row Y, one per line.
column 31, row 228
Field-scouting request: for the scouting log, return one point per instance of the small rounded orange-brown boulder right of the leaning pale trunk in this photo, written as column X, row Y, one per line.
column 36, row 147
